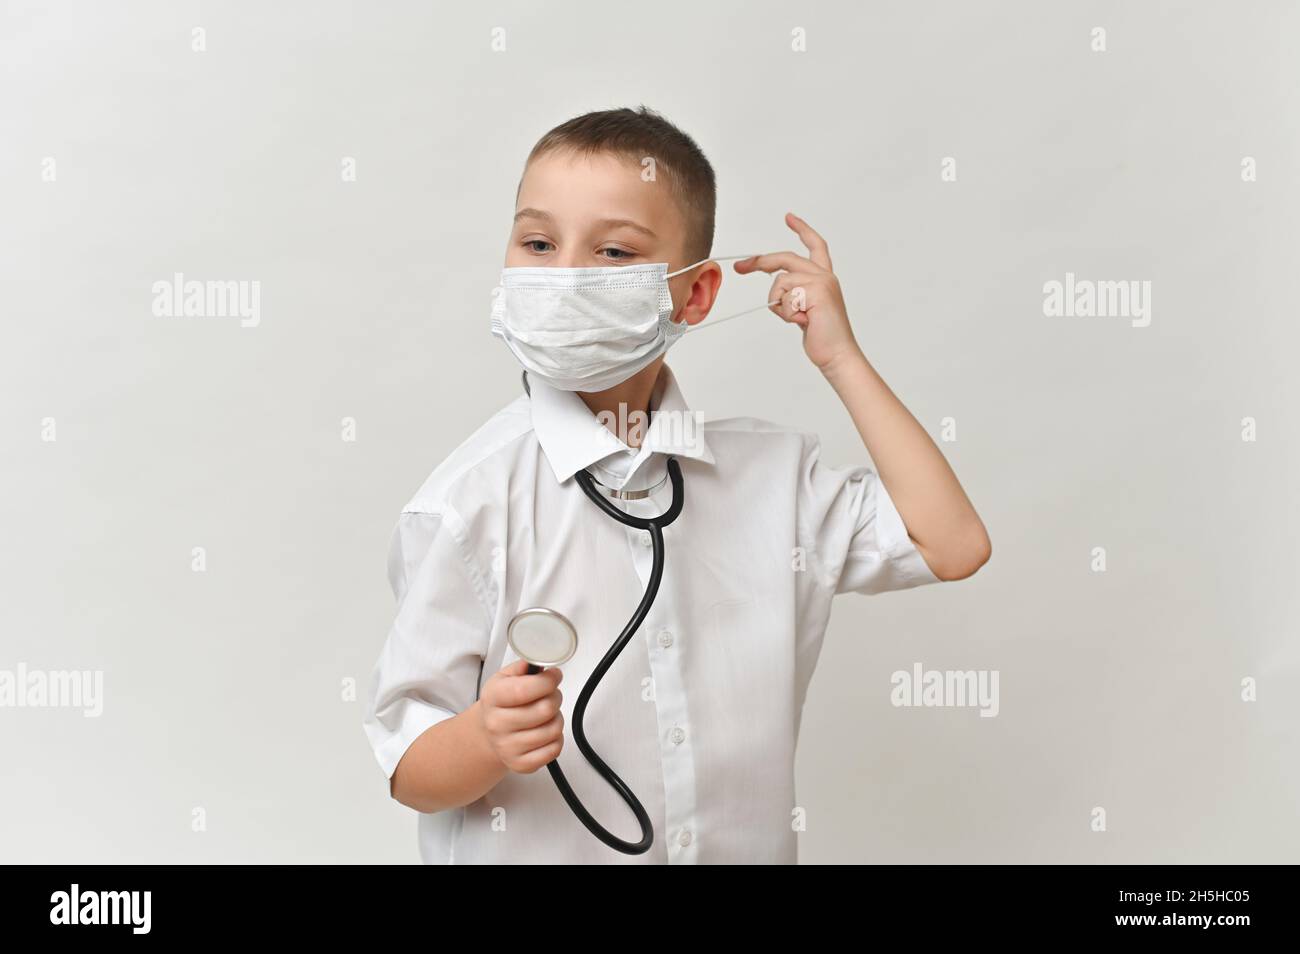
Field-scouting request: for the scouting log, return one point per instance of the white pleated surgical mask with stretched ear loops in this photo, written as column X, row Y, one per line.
column 588, row 329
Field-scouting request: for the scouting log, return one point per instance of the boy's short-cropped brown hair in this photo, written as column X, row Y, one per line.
column 640, row 135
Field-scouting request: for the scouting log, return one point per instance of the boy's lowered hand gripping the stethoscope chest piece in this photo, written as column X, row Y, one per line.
column 522, row 717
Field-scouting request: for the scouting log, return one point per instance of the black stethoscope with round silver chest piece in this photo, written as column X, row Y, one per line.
column 545, row 638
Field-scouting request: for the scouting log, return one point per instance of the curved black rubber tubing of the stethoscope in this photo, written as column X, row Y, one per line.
column 656, row 527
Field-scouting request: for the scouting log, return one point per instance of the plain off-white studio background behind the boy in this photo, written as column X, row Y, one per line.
column 223, row 690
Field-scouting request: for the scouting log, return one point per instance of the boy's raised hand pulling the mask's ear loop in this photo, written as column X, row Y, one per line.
column 809, row 296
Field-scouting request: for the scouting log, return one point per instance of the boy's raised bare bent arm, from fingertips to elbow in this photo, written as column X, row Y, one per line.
column 939, row 517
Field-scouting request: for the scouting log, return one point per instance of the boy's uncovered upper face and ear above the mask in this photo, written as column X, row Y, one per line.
column 578, row 211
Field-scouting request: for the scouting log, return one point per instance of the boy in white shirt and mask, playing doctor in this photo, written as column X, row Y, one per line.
column 701, row 714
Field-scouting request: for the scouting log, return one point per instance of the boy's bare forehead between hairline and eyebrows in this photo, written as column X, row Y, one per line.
column 586, row 188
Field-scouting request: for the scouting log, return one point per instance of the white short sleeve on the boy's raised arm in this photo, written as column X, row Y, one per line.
column 857, row 535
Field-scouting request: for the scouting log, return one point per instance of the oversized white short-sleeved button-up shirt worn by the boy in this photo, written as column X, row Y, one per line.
column 701, row 713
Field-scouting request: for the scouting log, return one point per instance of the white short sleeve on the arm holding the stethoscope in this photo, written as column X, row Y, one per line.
column 432, row 661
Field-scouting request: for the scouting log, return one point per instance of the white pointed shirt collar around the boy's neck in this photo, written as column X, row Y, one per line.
column 573, row 439
